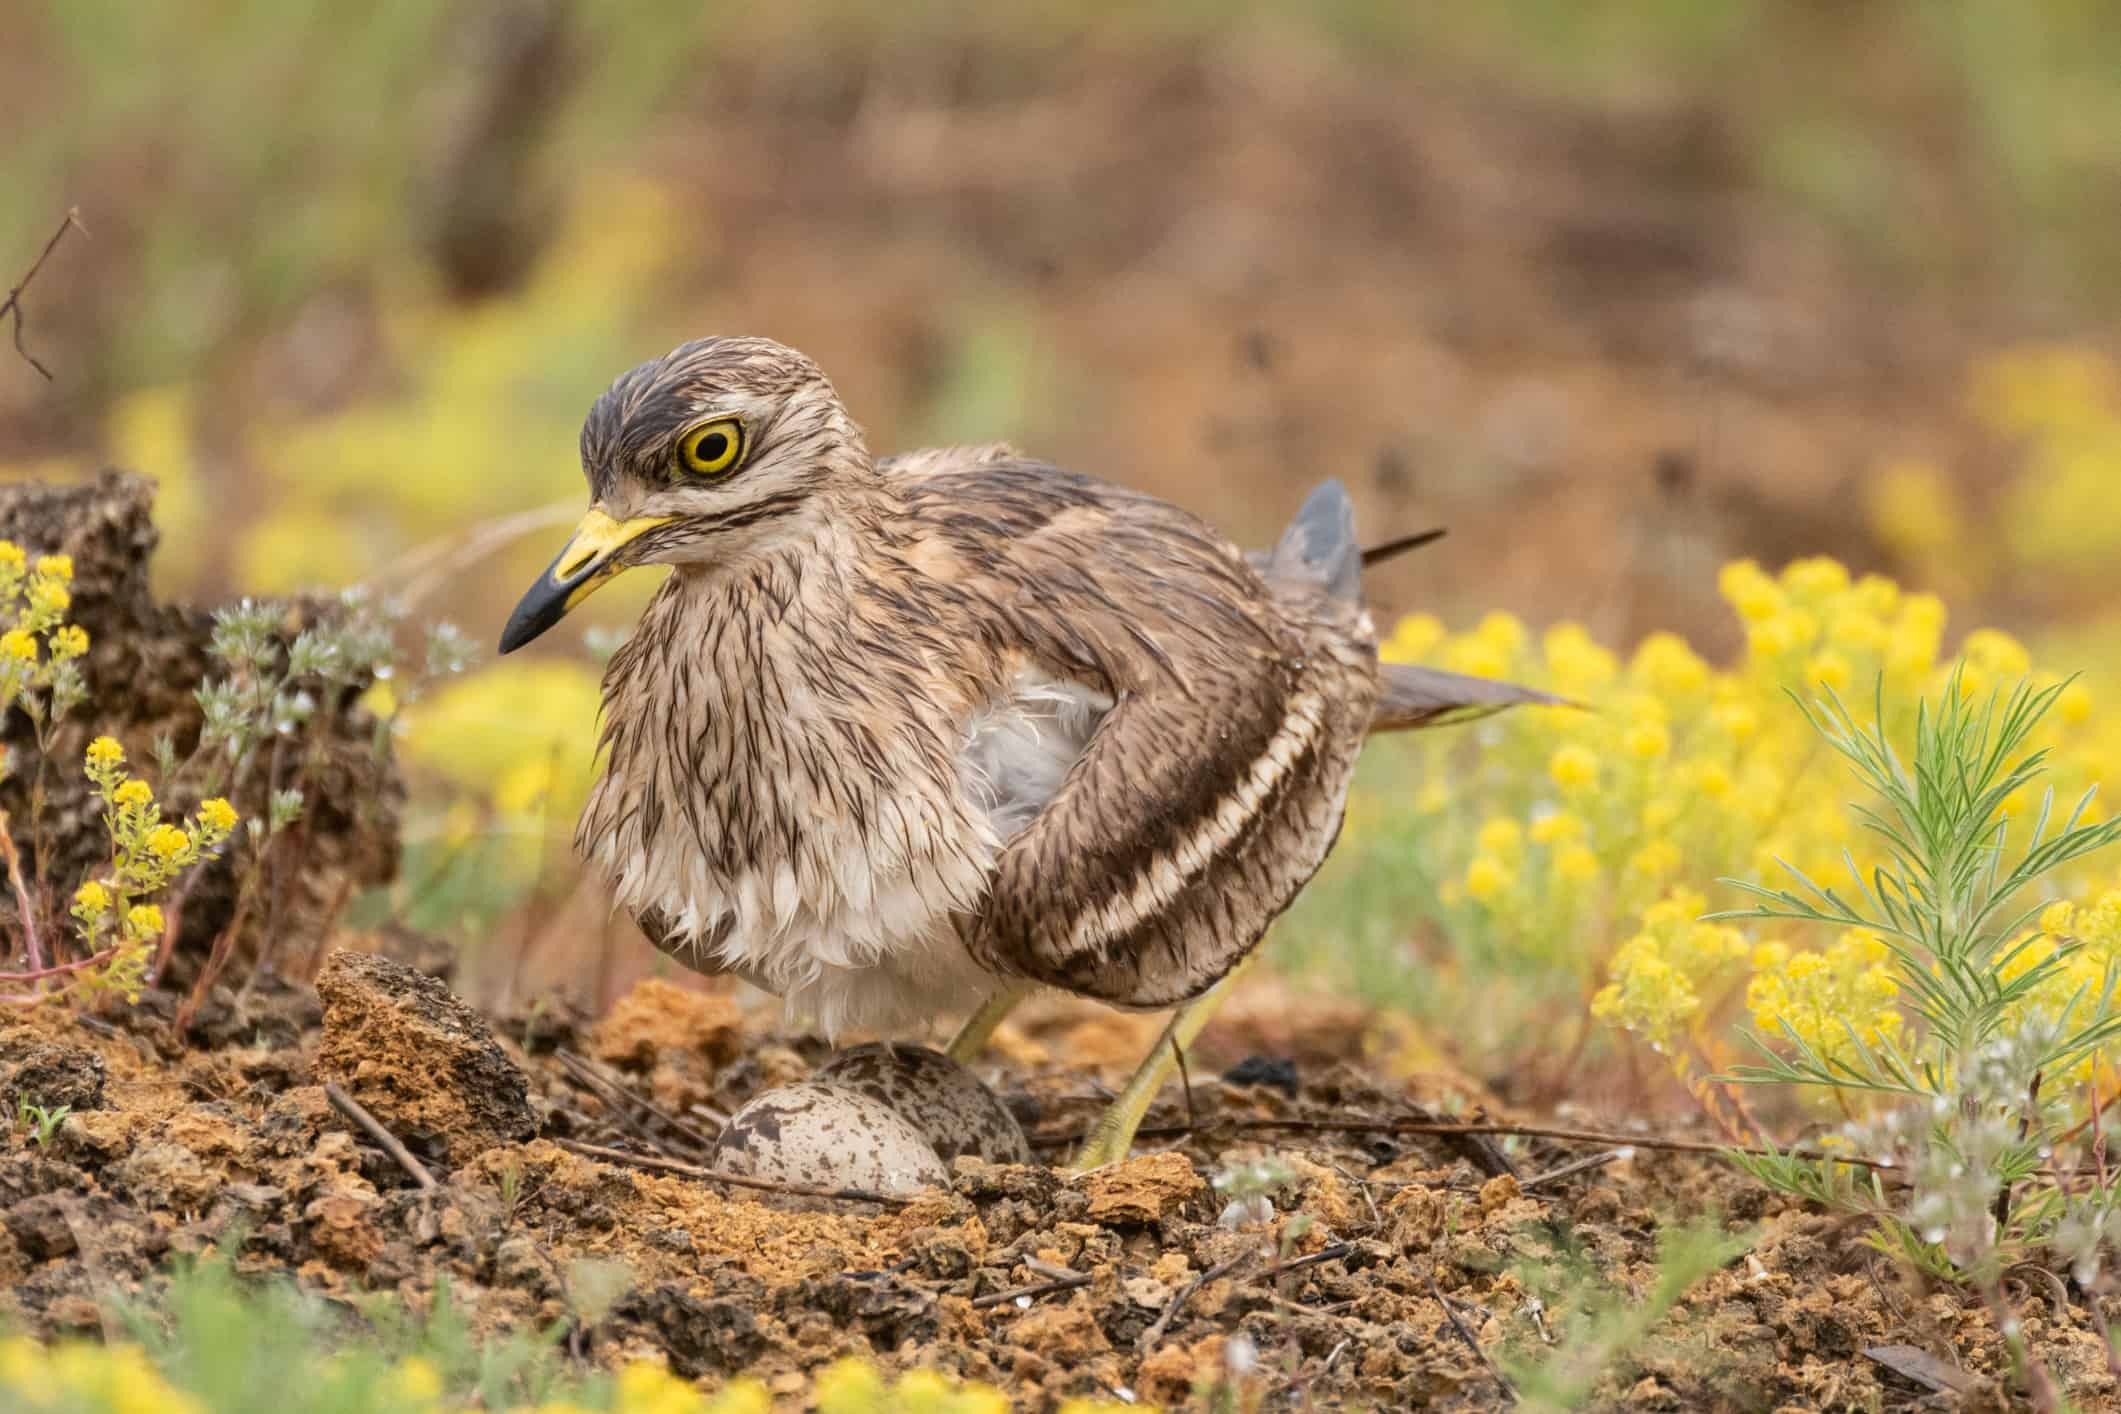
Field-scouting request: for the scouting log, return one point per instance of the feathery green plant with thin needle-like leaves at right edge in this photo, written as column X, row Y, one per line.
column 1976, row 1101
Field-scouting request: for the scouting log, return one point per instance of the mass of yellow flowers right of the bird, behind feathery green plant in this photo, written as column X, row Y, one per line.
column 1541, row 855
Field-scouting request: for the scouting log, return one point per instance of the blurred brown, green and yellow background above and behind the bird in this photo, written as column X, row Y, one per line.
column 1617, row 291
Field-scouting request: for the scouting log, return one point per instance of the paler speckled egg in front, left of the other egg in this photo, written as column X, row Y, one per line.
column 826, row 1137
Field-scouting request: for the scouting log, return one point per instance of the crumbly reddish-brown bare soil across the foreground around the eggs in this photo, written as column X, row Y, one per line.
column 1371, row 1284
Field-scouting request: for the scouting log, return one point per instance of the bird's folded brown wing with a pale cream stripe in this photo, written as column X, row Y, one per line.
column 1212, row 790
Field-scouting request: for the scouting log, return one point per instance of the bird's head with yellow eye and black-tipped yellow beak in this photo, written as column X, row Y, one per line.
column 701, row 457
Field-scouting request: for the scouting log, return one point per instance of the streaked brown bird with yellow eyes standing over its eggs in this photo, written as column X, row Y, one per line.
column 915, row 737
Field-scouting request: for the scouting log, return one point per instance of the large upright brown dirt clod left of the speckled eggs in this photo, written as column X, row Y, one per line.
column 419, row 1059
